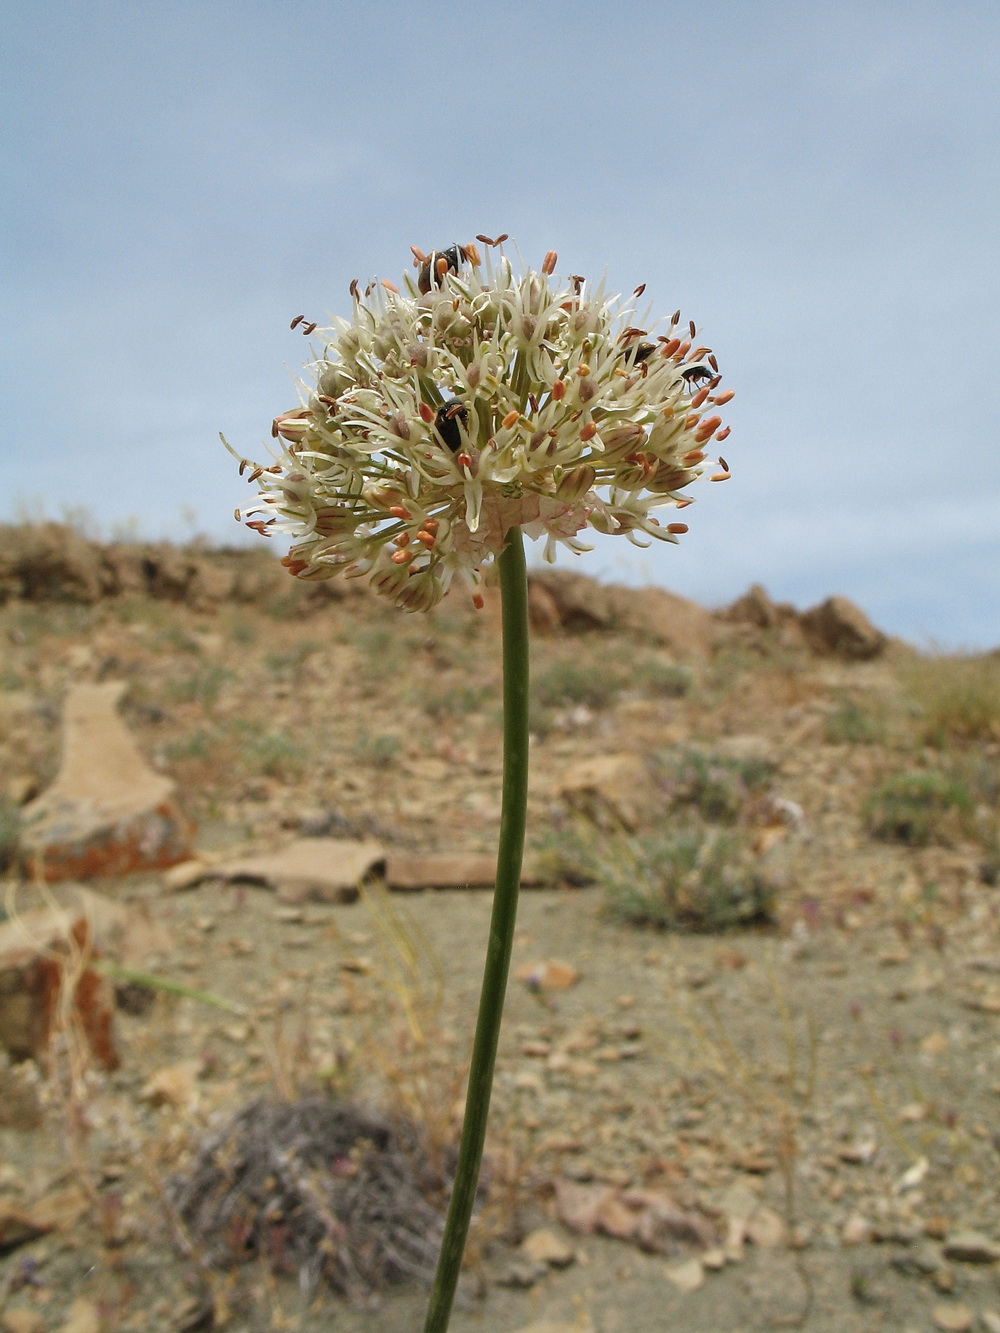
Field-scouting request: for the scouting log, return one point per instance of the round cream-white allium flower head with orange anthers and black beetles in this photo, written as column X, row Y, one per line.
column 474, row 401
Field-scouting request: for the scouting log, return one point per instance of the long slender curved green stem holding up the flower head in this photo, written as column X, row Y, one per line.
column 514, row 594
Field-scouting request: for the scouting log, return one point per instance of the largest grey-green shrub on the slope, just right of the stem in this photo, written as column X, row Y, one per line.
column 691, row 879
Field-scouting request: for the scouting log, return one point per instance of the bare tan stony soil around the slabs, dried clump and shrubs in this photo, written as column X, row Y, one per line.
column 841, row 1063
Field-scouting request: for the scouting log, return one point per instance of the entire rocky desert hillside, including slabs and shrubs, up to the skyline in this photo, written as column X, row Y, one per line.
column 750, row 1072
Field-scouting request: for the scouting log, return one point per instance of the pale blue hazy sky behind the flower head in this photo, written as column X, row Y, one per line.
column 817, row 186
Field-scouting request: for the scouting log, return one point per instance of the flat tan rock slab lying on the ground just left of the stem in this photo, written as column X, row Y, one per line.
column 311, row 870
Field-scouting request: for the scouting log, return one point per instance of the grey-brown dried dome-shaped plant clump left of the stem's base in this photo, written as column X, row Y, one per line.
column 319, row 1188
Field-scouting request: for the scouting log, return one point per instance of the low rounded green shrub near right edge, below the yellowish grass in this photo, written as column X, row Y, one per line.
column 919, row 808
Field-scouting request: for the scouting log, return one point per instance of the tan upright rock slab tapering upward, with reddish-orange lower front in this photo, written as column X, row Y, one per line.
column 107, row 812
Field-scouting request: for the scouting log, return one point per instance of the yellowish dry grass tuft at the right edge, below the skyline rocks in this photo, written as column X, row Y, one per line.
column 957, row 699
